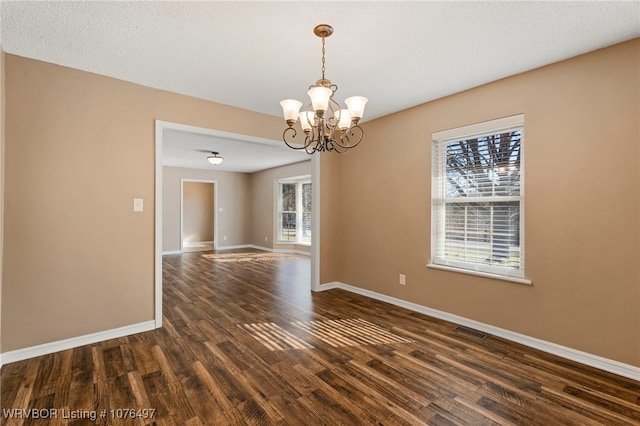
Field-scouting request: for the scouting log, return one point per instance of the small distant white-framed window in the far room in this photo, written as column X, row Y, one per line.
column 294, row 210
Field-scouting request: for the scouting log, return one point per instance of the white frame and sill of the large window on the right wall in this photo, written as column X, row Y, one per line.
column 439, row 200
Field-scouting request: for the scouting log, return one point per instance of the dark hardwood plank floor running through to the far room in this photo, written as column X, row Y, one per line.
column 245, row 342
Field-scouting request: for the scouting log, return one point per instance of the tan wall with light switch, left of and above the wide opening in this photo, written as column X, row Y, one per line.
column 79, row 148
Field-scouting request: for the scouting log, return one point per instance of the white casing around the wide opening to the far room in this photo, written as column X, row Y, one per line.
column 160, row 126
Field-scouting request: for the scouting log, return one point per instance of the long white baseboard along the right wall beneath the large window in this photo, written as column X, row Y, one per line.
column 605, row 364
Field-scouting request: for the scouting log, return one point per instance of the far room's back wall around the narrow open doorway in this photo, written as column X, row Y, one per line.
column 234, row 197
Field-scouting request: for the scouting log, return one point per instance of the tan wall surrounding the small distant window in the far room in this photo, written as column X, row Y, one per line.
column 263, row 207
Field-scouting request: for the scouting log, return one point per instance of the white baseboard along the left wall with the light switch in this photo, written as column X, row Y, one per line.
column 74, row 342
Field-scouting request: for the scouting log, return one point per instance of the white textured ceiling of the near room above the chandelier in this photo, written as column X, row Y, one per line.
column 253, row 54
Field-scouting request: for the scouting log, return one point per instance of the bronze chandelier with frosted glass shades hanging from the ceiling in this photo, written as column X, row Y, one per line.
column 327, row 126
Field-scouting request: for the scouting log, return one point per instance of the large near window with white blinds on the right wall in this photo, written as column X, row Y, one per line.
column 477, row 198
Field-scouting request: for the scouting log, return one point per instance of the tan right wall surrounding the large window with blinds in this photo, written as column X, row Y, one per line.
column 582, row 205
